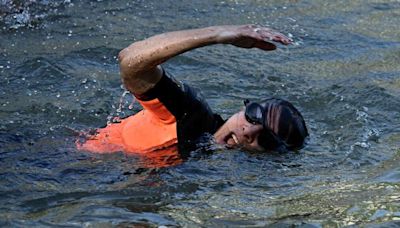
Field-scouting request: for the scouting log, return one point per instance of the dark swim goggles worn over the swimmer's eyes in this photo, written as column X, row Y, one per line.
column 255, row 114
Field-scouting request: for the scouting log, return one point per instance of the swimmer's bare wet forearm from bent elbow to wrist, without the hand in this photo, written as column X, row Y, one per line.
column 139, row 61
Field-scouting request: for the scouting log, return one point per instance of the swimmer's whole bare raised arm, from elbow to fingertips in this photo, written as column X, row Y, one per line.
column 139, row 62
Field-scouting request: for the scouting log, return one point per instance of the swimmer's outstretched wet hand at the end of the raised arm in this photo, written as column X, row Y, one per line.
column 251, row 36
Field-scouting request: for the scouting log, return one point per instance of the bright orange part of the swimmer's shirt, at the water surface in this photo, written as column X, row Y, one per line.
column 151, row 129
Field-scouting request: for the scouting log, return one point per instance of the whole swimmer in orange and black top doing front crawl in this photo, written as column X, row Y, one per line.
column 175, row 114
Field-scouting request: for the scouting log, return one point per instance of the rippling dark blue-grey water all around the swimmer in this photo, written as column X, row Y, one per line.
column 59, row 75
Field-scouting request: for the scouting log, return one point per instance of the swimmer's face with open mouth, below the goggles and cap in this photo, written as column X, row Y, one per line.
column 237, row 132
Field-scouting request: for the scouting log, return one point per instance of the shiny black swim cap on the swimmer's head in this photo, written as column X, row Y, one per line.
column 286, row 124
